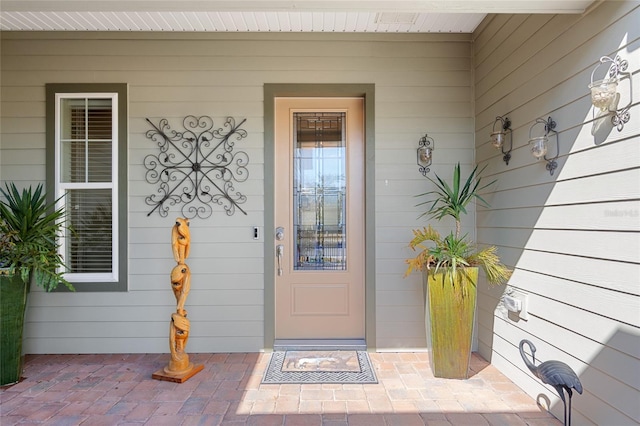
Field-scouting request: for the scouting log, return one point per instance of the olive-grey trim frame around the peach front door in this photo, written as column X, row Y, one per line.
column 271, row 91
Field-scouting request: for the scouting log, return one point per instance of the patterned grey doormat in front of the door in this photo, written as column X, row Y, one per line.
column 319, row 367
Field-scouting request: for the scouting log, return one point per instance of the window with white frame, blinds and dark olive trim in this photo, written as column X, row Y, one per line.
column 86, row 162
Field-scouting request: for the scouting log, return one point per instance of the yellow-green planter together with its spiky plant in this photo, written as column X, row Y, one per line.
column 450, row 268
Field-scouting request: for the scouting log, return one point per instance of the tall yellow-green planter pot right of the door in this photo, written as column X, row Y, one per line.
column 451, row 310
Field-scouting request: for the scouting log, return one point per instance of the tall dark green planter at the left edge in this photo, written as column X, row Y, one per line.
column 13, row 302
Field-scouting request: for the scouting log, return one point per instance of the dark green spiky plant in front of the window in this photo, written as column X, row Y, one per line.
column 29, row 233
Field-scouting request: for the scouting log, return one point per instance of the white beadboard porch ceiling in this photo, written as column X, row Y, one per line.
column 265, row 15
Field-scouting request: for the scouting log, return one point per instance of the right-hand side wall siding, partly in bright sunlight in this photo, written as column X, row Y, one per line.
column 574, row 237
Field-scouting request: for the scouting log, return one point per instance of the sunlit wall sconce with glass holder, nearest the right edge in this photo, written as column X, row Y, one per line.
column 604, row 94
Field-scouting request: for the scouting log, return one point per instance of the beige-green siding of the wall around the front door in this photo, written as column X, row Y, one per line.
column 422, row 83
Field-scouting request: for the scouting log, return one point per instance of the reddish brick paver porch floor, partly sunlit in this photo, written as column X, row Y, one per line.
column 117, row 389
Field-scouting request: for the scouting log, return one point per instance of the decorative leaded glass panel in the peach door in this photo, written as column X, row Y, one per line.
column 319, row 191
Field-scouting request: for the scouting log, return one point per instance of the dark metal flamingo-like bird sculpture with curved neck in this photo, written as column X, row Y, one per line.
column 554, row 373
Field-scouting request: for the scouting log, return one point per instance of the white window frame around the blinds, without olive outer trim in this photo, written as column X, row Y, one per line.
column 62, row 187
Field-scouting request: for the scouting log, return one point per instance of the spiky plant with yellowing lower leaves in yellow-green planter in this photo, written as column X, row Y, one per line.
column 453, row 253
